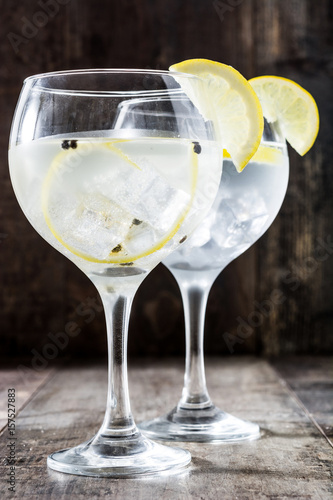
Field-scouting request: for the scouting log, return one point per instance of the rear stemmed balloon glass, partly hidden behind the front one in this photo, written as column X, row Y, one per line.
column 246, row 205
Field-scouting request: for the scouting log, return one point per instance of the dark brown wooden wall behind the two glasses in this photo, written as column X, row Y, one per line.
column 42, row 291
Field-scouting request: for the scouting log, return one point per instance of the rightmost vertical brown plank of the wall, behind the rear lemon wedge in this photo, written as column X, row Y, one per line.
column 288, row 253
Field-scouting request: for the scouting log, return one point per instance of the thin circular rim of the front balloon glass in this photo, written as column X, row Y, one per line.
column 105, row 71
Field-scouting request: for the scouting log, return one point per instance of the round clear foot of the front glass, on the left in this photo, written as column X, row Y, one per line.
column 119, row 457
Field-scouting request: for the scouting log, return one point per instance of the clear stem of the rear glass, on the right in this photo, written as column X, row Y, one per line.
column 195, row 295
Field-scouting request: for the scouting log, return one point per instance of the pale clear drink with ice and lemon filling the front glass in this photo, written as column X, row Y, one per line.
column 98, row 200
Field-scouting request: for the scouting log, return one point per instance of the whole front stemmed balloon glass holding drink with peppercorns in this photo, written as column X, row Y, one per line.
column 115, row 201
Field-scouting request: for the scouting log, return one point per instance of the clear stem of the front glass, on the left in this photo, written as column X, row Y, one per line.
column 118, row 420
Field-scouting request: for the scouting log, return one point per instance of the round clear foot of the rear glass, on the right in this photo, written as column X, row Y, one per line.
column 200, row 425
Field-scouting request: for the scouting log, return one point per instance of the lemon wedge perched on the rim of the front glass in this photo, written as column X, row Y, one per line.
column 230, row 103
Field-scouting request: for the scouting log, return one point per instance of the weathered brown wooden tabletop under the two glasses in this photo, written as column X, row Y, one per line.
column 290, row 399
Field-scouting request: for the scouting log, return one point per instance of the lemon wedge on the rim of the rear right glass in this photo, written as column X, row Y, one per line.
column 292, row 106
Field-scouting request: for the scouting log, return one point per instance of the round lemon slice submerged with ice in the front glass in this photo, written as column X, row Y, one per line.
column 106, row 204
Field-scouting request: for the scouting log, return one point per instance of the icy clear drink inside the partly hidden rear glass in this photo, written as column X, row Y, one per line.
column 246, row 205
